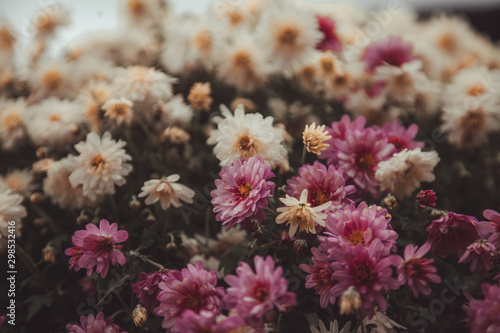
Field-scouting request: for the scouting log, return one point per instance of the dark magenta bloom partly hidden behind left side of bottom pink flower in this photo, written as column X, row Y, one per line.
column 147, row 289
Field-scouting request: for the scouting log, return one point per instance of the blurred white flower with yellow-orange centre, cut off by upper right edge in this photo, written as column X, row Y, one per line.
column 472, row 82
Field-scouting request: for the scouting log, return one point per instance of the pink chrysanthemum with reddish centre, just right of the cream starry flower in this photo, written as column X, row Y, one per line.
column 363, row 225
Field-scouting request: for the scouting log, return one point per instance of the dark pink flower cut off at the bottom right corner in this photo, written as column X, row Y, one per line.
column 484, row 315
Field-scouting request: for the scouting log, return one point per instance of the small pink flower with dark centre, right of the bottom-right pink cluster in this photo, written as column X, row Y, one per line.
column 415, row 270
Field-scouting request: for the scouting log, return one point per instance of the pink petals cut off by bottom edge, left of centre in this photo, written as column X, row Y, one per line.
column 205, row 322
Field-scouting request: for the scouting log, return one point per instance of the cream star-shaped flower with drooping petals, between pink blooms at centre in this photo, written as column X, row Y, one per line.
column 300, row 215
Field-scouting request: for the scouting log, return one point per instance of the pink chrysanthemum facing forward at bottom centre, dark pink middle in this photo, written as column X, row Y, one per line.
column 255, row 294
